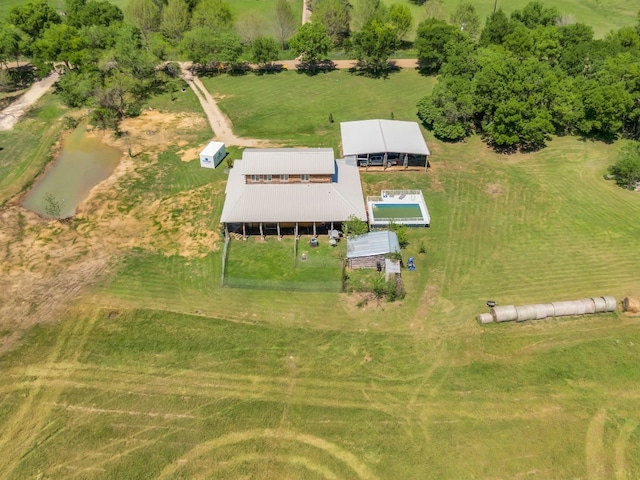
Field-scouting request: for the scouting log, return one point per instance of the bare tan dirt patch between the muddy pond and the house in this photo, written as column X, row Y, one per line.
column 45, row 265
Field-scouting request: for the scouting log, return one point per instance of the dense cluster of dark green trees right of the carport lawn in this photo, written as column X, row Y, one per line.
column 527, row 76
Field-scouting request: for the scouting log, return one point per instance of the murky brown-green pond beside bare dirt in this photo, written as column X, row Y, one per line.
column 84, row 162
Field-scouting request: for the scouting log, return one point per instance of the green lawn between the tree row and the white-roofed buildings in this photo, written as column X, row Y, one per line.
column 294, row 108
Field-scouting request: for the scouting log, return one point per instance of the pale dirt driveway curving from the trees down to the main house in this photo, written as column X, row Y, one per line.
column 220, row 123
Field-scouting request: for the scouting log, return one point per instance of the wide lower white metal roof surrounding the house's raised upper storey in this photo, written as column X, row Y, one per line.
column 294, row 202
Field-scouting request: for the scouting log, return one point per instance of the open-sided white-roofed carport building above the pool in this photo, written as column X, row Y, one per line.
column 384, row 143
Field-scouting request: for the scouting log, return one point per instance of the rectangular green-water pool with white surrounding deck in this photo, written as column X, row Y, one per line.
column 406, row 207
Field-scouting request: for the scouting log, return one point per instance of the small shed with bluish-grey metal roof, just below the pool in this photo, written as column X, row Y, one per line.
column 371, row 249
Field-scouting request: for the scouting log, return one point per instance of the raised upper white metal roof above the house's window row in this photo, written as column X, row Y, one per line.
column 292, row 161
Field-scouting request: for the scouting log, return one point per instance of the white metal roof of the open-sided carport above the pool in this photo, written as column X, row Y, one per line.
column 378, row 136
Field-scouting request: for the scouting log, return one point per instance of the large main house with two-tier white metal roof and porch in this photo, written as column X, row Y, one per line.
column 288, row 189
